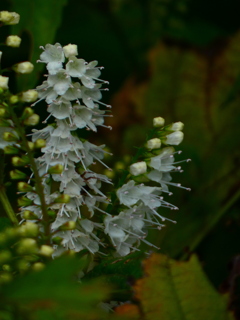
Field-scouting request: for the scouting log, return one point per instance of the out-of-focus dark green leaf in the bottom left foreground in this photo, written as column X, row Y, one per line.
column 56, row 288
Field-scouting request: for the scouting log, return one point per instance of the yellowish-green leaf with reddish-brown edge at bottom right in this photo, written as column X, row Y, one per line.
column 178, row 290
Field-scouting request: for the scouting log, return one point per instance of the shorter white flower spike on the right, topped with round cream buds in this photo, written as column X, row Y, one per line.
column 128, row 228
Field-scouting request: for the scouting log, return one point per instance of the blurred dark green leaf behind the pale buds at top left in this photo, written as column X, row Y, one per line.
column 40, row 20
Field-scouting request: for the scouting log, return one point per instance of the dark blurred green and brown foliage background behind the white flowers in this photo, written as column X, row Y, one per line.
column 179, row 59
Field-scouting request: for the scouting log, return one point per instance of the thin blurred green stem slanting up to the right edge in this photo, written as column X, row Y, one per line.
column 212, row 223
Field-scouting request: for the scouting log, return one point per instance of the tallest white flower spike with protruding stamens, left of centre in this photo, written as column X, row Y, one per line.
column 73, row 92
